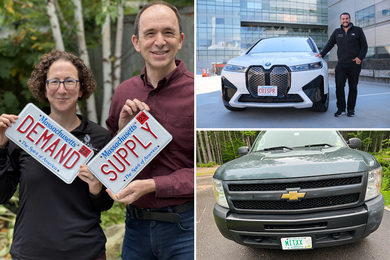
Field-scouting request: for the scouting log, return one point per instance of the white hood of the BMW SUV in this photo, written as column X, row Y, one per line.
column 275, row 58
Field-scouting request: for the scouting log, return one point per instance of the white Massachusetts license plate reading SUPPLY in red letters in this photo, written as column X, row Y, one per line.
column 129, row 151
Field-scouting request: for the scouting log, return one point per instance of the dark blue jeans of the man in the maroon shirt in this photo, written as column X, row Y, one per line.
column 149, row 239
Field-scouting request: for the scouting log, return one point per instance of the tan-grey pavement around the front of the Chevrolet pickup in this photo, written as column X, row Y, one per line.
column 210, row 244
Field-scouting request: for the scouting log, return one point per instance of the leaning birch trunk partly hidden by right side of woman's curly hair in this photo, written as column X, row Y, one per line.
column 83, row 52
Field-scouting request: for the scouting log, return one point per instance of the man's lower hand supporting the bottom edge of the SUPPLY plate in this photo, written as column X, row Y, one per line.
column 135, row 190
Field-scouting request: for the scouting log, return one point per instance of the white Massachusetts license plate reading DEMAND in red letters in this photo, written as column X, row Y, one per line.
column 49, row 143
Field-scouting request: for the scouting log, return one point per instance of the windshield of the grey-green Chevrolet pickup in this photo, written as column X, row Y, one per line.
column 268, row 140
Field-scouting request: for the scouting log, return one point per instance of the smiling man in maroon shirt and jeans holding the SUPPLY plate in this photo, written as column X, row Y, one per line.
column 160, row 214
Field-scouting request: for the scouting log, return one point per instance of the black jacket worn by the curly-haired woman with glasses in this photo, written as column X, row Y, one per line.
column 55, row 220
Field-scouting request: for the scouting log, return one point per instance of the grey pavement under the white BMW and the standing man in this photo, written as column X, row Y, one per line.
column 372, row 110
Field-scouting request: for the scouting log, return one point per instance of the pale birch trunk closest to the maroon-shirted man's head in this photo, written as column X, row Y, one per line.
column 118, row 46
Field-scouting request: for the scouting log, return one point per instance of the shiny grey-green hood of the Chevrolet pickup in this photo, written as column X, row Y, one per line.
column 296, row 163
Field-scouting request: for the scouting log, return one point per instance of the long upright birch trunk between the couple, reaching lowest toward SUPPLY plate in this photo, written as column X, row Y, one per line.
column 107, row 73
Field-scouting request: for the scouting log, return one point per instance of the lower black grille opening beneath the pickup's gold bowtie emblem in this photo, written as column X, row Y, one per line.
column 303, row 204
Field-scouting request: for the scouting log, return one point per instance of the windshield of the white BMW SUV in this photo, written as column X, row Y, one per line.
column 282, row 45
